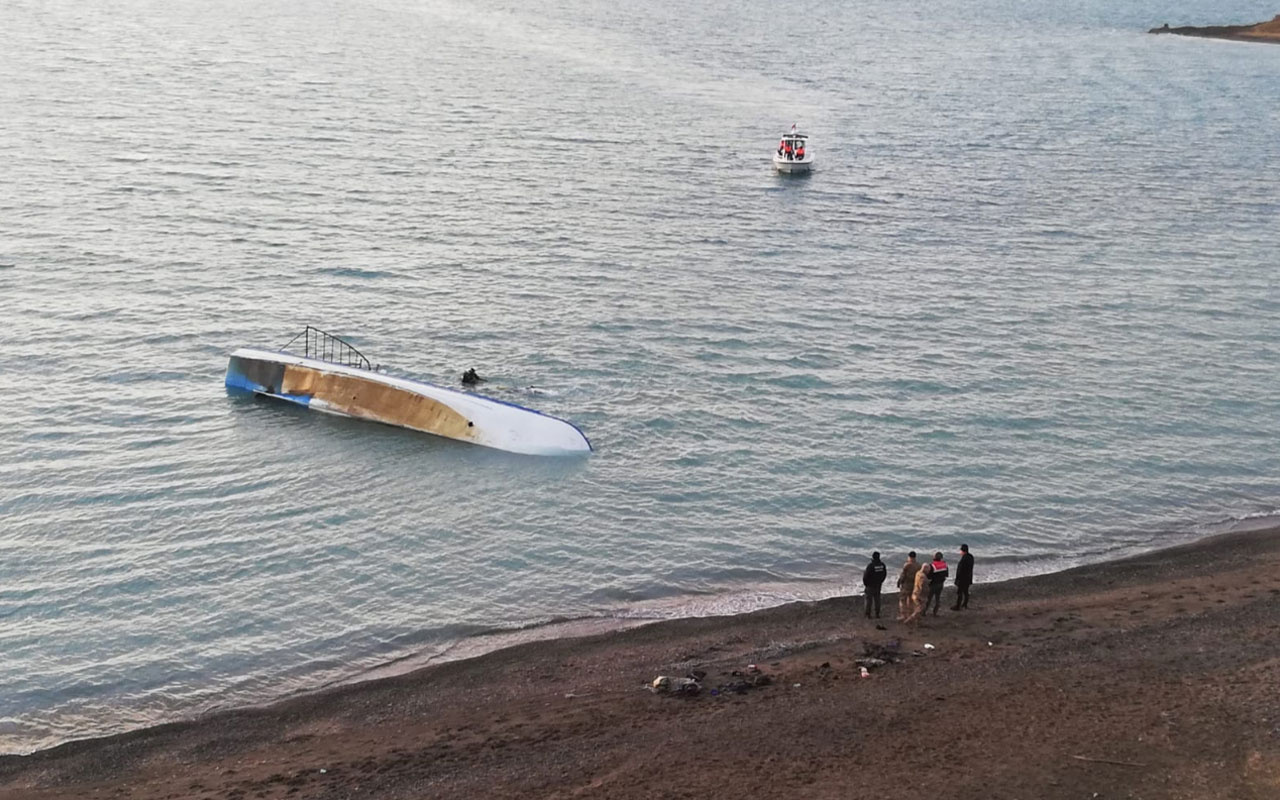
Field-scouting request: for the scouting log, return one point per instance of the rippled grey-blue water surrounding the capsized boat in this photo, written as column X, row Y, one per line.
column 1028, row 300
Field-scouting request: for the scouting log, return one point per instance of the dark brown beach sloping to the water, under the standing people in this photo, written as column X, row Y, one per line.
column 1156, row 676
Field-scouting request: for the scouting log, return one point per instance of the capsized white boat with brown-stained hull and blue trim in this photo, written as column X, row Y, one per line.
column 333, row 377
